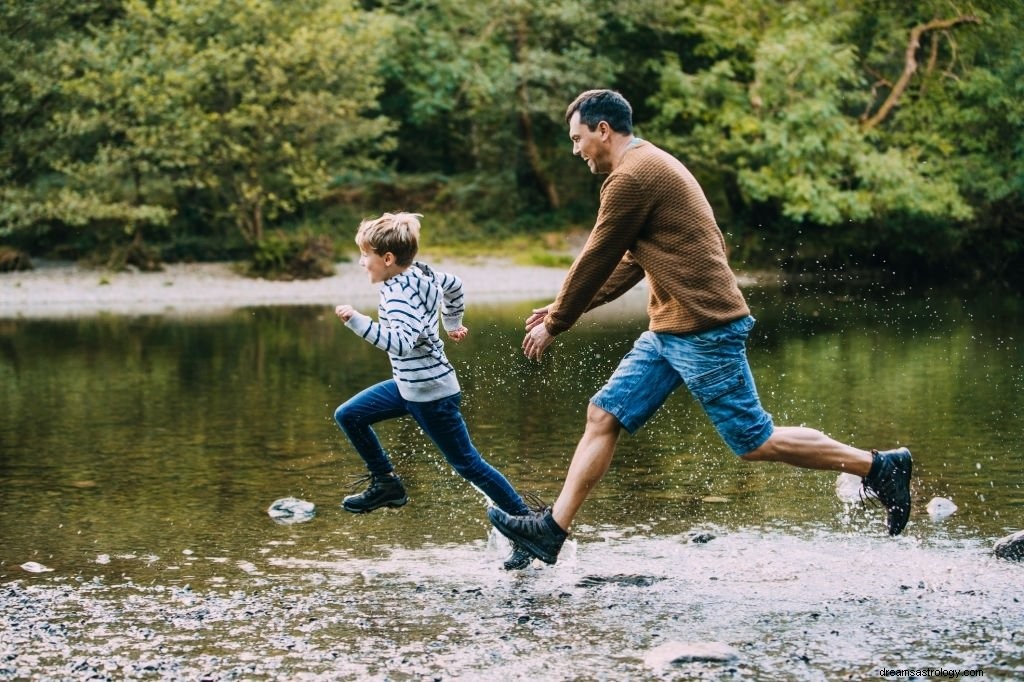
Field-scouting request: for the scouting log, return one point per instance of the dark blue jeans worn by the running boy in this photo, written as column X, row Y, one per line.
column 442, row 421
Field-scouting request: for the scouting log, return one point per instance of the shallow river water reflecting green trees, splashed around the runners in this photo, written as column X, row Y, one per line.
column 140, row 456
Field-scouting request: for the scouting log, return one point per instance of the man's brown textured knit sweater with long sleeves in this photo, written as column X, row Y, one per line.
column 655, row 221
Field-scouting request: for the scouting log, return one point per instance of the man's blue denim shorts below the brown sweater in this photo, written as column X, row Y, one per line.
column 712, row 365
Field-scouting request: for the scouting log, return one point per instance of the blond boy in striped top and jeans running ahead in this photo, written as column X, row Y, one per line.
column 423, row 382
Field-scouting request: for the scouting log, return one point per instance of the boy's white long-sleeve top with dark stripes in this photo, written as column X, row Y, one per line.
column 408, row 330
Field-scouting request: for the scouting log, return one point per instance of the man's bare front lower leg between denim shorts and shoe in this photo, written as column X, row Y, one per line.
column 590, row 463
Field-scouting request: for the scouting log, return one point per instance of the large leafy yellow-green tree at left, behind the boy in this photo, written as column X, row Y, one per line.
column 246, row 110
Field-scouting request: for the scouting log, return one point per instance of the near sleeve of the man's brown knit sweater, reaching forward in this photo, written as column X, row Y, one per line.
column 604, row 267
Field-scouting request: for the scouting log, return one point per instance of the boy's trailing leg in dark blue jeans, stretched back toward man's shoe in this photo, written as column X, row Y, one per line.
column 443, row 422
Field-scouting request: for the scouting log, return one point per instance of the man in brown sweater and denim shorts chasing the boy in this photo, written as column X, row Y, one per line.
column 655, row 222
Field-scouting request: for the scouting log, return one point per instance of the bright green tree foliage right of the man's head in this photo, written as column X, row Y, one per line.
column 778, row 115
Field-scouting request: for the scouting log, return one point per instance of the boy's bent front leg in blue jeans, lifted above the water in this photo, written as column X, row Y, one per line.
column 357, row 415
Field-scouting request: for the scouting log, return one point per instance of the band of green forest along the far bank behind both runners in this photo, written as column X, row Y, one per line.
column 842, row 136
